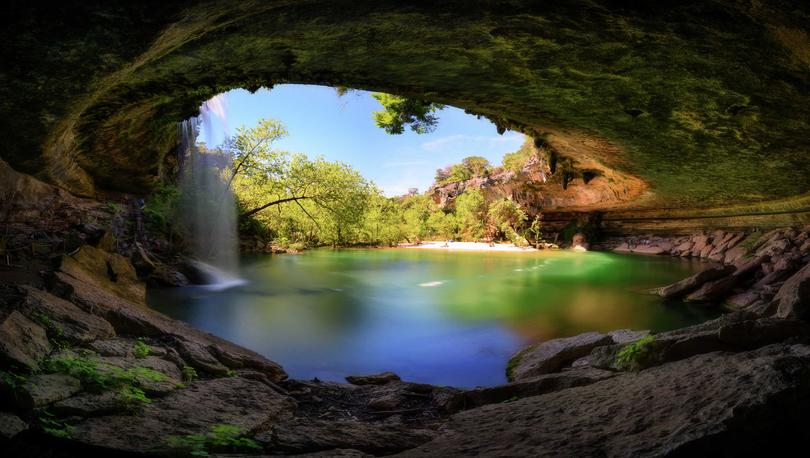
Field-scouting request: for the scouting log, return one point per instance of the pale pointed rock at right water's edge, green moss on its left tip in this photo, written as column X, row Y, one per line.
column 550, row 356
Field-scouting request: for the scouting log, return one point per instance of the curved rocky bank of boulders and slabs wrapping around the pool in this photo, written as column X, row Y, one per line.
column 89, row 369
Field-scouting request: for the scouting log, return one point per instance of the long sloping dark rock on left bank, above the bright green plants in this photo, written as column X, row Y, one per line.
column 70, row 322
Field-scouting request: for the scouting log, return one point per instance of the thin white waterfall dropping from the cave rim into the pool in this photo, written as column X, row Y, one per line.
column 208, row 204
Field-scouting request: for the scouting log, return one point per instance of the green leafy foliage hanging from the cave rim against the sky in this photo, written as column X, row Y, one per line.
column 399, row 112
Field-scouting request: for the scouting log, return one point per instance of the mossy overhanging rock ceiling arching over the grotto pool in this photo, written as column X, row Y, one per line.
column 698, row 104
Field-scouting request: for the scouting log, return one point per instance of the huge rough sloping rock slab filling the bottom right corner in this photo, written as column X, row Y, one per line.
column 740, row 404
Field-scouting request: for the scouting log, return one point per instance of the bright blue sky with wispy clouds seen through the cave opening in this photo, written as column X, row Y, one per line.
column 341, row 128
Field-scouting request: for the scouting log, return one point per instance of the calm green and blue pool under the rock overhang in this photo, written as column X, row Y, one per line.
column 433, row 317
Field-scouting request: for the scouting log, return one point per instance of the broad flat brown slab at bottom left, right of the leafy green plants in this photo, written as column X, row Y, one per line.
column 194, row 410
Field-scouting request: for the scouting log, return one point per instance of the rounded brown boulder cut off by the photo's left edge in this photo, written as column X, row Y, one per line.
column 22, row 342
